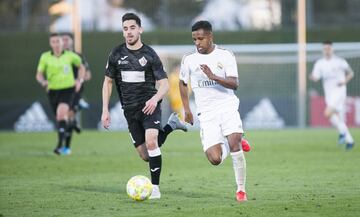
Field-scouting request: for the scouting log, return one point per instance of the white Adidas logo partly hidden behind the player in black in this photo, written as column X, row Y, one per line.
column 118, row 120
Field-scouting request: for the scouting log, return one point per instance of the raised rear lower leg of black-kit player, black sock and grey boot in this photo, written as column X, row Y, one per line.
column 174, row 123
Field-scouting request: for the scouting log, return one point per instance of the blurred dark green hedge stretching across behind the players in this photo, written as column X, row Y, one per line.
column 20, row 52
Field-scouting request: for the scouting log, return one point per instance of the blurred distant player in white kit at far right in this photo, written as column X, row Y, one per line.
column 335, row 73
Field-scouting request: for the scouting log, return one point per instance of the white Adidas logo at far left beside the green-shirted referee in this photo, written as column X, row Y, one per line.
column 34, row 120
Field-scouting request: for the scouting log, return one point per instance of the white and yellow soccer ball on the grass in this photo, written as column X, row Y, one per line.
column 139, row 188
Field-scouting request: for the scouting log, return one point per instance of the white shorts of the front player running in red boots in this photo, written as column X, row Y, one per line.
column 216, row 125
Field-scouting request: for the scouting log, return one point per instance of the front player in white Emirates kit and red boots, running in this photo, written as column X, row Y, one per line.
column 213, row 74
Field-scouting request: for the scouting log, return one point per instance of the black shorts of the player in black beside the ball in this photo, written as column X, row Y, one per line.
column 138, row 122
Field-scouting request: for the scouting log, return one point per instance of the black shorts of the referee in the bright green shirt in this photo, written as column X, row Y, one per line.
column 60, row 96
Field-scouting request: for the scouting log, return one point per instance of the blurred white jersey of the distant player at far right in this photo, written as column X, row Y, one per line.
column 332, row 71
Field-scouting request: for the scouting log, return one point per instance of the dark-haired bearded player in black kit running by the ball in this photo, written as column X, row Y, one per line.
column 136, row 69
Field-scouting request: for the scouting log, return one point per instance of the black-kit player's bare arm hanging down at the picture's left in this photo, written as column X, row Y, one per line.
column 106, row 93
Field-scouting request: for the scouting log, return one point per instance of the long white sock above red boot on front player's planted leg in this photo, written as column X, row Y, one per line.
column 239, row 165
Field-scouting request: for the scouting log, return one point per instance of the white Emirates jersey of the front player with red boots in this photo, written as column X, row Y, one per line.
column 209, row 95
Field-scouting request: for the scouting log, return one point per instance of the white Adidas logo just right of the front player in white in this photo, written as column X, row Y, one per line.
column 263, row 115
